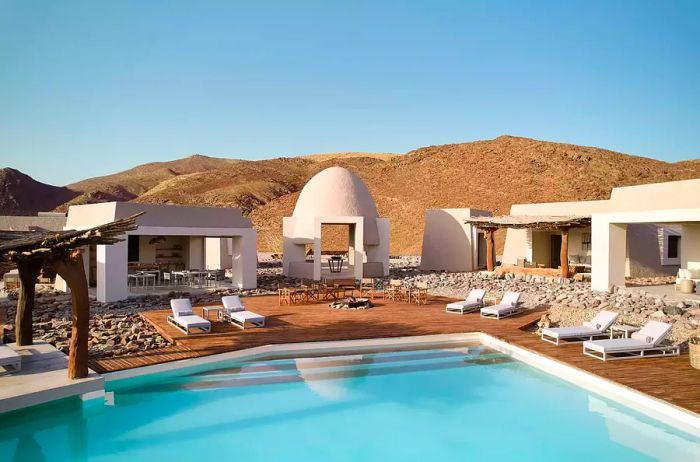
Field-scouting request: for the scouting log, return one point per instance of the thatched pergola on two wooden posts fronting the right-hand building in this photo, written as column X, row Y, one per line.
column 545, row 222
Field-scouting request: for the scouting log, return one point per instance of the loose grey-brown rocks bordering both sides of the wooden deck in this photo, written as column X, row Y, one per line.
column 117, row 329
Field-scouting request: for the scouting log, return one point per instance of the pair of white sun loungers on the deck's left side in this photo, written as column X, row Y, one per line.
column 232, row 310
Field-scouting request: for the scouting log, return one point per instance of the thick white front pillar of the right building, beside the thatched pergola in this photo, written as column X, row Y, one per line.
column 609, row 253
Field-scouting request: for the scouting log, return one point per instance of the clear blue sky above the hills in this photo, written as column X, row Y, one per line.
column 90, row 88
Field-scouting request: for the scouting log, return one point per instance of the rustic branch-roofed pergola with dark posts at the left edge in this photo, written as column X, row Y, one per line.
column 29, row 251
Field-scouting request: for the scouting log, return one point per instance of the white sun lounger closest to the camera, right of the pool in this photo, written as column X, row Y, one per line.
column 643, row 344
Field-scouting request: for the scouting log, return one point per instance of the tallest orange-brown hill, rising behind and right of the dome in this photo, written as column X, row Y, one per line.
column 491, row 175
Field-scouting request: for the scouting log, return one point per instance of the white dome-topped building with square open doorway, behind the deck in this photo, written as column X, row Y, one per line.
column 336, row 196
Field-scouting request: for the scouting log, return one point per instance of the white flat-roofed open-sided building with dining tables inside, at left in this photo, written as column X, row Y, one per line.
column 174, row 246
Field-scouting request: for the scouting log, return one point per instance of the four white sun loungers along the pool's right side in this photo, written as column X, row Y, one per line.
column 595, row 334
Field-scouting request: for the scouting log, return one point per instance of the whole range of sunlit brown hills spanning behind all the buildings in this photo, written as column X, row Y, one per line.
column 490, row 174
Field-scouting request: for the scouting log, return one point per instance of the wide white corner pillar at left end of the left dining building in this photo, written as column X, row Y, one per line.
column 112, row 272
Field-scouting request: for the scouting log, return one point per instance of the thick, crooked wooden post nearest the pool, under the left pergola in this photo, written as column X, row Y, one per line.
column 70, row 268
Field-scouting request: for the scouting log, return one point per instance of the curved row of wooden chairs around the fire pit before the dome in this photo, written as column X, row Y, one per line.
column 332, row 290
